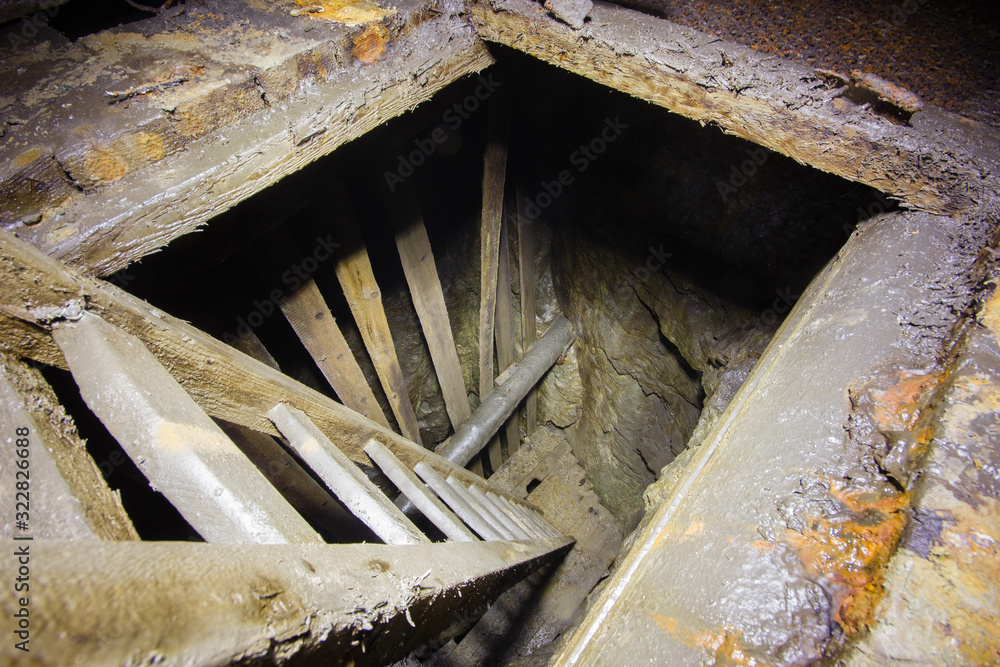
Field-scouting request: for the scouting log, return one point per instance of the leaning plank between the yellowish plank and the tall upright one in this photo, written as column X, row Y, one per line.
column 417, row 256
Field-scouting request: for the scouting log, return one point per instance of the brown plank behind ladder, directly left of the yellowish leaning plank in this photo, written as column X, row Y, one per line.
column 307, row 311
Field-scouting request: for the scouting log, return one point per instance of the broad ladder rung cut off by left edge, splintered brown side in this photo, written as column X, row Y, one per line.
column 62, row 486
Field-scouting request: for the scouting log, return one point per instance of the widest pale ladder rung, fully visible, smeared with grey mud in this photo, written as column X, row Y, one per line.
column 177, row 447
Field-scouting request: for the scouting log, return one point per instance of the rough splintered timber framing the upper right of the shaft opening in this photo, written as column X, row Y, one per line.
column 939, row 163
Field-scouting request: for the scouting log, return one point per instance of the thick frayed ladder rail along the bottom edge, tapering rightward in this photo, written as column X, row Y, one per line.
column 206, row 604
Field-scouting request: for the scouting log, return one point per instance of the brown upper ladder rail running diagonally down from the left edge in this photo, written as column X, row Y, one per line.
column 226, row 383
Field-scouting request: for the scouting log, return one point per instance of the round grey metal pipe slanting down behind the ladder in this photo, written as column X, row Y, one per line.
column 499, row 404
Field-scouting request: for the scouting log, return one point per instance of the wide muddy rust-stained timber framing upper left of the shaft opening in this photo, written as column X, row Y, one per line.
column 123, row 140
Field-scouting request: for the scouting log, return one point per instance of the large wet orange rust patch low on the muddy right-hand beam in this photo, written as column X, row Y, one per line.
column 851, row 551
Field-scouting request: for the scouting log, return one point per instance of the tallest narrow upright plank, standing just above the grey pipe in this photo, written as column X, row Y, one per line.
column 494, row 173
